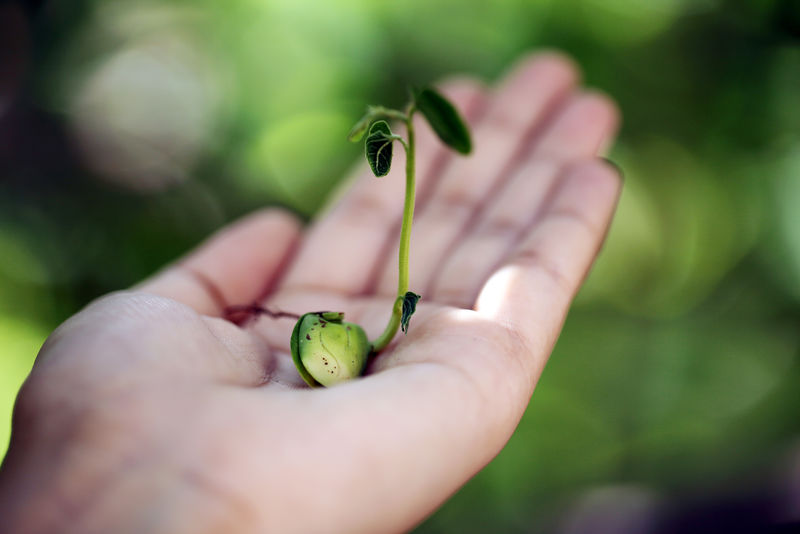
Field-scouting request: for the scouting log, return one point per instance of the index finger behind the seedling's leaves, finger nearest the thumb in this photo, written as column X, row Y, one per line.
column 346, row 243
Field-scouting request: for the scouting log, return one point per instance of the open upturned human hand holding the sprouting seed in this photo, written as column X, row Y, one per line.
column 147, row 412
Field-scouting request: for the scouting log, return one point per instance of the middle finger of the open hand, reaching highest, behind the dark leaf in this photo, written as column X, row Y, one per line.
column 516, row 110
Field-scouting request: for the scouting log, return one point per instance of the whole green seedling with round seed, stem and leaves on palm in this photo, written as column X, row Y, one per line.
column 325, row 349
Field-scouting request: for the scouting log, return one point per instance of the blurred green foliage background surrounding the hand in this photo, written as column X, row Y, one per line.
column 131, row 130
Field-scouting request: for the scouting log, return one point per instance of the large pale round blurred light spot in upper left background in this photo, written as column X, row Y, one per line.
column 146, row 113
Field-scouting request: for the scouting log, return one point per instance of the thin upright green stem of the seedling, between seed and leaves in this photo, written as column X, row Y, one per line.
column 405, row 239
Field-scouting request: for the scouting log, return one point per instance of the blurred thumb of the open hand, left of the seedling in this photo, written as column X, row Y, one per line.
column 238, row 265
